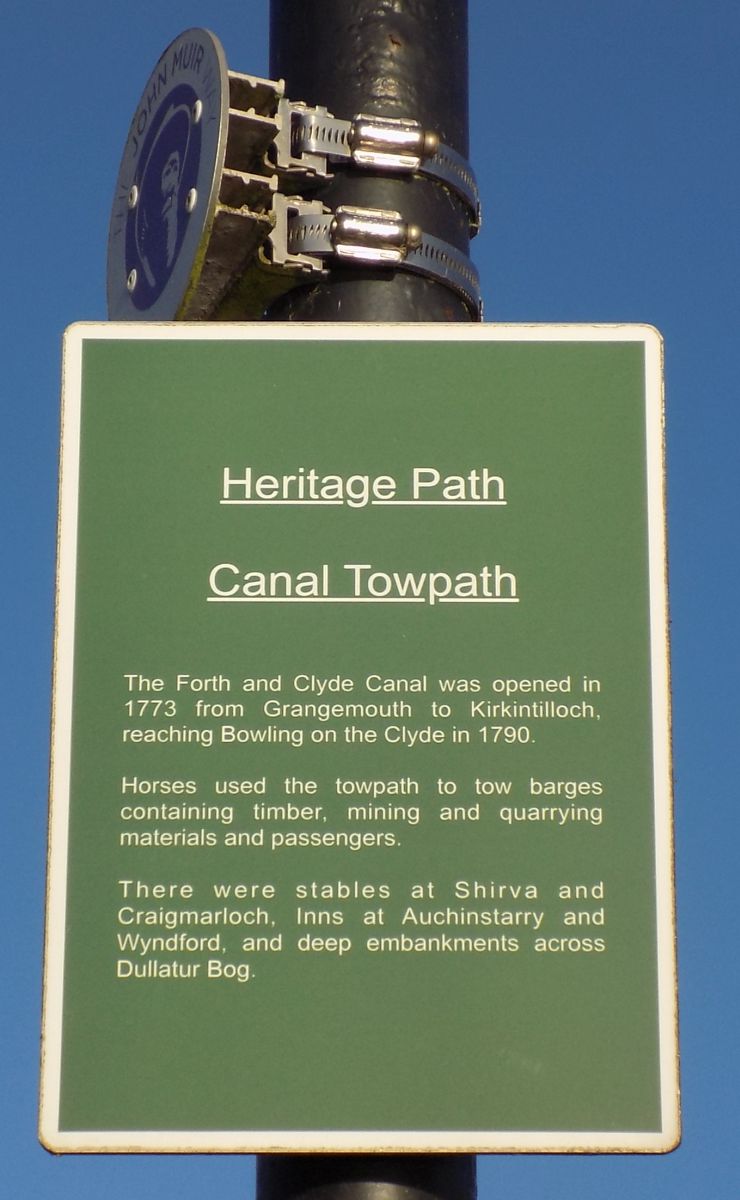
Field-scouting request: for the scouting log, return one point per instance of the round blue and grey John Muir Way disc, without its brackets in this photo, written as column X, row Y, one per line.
column 169, row 182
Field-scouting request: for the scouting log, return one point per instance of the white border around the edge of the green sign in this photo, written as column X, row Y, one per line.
column 381, row 1142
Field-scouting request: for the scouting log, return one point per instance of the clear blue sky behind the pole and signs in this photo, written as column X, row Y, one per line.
column 605, row 142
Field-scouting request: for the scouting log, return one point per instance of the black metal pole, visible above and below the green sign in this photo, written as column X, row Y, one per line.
column 406, row 59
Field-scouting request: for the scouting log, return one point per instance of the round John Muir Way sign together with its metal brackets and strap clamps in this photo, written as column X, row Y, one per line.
column 206, row 224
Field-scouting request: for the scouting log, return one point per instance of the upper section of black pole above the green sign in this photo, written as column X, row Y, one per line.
column 406, row 59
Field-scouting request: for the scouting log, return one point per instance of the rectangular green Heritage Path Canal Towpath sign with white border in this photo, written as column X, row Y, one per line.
column 360, row 791
